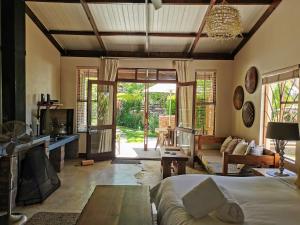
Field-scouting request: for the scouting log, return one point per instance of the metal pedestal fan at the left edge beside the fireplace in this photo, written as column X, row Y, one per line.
column 12, row 134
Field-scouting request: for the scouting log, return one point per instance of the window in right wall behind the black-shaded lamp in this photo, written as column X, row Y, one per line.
column 281, row 96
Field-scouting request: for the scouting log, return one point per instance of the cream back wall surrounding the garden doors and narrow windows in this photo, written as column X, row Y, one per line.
column 224, row 80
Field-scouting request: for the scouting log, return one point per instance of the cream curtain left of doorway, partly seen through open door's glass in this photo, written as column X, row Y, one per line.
column 108, row 72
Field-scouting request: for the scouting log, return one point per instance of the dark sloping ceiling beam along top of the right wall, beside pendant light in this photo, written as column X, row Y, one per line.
column 258, row 24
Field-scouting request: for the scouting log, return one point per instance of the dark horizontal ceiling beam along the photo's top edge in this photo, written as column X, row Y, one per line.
column 169, row 2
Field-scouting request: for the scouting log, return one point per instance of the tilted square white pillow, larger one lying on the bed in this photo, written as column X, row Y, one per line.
column 208, row 194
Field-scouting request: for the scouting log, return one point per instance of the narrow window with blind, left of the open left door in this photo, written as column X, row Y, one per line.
column 84, row 75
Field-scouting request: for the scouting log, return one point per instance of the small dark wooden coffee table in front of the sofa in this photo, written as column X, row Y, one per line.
column 173, row 156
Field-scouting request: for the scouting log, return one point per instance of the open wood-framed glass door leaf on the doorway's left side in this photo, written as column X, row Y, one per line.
column 101, row 120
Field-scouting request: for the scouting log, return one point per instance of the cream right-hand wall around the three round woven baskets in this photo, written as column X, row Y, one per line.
column 274, row 46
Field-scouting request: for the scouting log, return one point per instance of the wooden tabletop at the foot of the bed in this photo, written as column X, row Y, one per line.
column 117, row 205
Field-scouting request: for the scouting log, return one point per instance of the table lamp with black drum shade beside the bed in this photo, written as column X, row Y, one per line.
column 281, row 133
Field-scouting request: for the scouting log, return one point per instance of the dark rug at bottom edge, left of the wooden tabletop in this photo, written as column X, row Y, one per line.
column 51, row 218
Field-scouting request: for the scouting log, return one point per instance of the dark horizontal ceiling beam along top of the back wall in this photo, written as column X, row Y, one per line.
column 203, row 56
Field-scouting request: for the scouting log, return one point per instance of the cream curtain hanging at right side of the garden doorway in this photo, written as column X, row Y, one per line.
column 185, row 94
